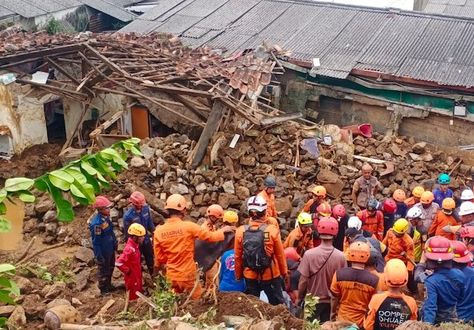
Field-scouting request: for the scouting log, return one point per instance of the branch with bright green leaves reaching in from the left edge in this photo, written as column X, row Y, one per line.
column 80, row 180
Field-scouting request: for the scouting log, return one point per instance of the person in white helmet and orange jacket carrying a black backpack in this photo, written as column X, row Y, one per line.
column 259, row 254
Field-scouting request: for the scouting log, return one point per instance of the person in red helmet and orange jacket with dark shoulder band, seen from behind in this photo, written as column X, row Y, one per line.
column 353, row 287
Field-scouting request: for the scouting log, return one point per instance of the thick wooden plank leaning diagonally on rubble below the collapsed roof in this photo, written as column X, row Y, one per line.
column 211, row 127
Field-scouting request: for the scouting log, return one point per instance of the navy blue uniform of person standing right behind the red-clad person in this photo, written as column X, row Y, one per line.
column 142, row 217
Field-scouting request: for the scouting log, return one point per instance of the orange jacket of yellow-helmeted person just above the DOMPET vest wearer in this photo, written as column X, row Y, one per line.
column 398, row 245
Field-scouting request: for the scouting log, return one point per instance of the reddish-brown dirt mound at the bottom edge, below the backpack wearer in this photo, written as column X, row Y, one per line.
column 239, row 304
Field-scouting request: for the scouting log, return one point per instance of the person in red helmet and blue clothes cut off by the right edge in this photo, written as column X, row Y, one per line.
column 462, row 260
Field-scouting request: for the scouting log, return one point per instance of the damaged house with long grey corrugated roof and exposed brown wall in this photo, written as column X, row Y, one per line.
column 402, row 71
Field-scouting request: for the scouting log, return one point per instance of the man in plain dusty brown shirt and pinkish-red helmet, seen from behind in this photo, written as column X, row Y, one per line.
column 317, row 269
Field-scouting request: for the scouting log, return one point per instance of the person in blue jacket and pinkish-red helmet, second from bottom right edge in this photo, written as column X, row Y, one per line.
column 444, row 285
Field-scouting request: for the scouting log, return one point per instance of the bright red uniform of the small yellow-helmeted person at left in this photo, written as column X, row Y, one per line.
column 129, row 263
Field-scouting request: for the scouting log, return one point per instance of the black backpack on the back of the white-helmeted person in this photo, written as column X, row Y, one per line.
column 254, row 255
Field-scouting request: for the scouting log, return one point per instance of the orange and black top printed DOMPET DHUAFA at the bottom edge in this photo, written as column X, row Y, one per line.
column 388, row 310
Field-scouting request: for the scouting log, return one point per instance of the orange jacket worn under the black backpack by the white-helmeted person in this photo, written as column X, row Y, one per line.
column 273, row 247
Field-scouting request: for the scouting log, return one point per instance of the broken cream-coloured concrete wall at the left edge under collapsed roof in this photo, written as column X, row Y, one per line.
column 24, row 117
